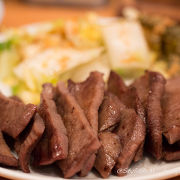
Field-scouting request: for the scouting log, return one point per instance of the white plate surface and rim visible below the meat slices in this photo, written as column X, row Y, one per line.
column 147, row 169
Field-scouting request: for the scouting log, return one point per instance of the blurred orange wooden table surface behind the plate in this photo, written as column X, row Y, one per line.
column 18, row 13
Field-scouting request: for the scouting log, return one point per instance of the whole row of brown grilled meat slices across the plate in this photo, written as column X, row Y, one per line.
column 87, row 124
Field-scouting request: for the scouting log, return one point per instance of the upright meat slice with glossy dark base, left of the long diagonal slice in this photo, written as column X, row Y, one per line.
column 54, row 143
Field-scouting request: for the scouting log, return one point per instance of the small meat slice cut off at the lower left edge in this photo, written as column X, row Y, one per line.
column 6, row 157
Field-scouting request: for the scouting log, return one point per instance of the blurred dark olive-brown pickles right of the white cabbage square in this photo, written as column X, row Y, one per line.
column 162, row 34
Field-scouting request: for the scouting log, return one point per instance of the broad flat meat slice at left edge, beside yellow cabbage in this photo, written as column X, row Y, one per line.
column 15, row 115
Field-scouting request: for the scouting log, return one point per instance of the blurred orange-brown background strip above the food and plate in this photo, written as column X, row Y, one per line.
column 19, row 12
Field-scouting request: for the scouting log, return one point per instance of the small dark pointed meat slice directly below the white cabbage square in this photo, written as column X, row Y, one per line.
column 116, row 84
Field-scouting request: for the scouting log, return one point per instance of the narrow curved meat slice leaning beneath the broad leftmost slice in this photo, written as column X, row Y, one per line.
column 29, row 142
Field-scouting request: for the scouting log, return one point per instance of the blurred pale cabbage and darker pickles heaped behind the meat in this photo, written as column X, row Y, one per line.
column 47, row 52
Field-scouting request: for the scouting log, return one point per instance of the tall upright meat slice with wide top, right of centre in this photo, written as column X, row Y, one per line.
column 150, row 89
